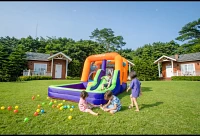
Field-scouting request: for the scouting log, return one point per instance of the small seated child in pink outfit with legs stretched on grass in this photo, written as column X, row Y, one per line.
column 84, row 106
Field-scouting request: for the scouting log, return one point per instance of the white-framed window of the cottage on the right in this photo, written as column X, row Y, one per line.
column 187, row 69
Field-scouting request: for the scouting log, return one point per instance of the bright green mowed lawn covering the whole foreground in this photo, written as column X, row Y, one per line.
column 166, row 107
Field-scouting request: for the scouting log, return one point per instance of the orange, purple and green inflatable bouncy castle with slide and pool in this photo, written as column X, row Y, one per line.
column 95, row 67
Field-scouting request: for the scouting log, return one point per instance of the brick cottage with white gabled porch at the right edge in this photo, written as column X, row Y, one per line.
column 179, row 65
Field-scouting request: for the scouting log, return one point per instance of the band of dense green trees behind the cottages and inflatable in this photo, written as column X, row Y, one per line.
column 13, row 58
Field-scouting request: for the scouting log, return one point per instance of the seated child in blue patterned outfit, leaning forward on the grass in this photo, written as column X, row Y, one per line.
column 113, row 104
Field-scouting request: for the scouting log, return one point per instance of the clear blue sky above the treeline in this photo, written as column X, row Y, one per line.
column 139, row 23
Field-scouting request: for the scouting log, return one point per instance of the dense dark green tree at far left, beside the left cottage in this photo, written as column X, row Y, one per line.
column 13, row 62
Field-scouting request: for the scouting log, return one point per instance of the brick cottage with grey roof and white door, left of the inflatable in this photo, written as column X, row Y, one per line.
column 55, row 65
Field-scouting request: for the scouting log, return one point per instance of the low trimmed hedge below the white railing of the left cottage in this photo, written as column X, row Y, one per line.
column 28, row 78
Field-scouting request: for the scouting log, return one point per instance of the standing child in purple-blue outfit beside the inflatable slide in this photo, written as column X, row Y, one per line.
column 136, row 90
